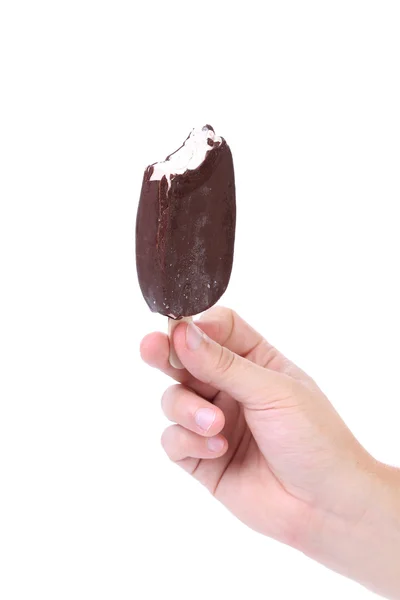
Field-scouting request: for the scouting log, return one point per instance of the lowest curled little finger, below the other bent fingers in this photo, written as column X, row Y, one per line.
column 179, row 444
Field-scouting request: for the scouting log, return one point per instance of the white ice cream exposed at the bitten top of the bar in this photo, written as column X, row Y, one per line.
column 189, row 157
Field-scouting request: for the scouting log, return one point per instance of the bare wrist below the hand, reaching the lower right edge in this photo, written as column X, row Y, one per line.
column 361, row 540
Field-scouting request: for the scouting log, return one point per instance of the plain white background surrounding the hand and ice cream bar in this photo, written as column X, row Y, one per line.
column 307, row 95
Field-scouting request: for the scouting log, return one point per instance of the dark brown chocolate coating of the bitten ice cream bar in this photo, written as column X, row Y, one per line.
column 185, row 236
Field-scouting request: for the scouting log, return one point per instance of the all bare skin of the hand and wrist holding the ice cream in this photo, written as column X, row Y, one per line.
column 261, row 436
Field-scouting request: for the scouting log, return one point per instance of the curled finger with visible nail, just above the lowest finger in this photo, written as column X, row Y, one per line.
column 192, row 412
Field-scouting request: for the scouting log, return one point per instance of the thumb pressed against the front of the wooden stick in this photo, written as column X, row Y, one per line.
column 218, row 366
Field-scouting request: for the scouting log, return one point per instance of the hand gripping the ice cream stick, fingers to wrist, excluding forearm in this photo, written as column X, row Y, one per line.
column 270, row 446
